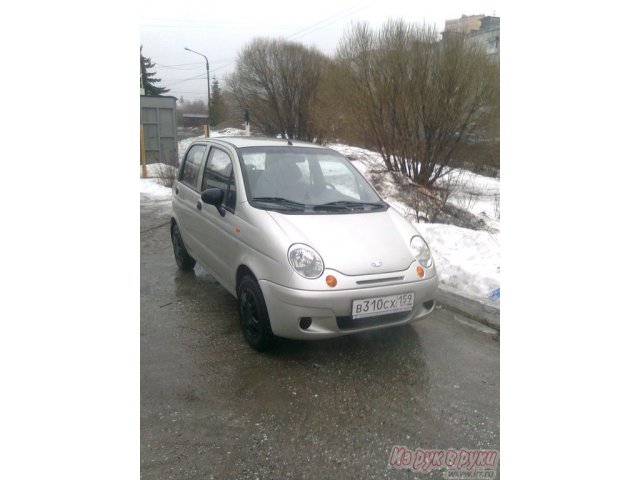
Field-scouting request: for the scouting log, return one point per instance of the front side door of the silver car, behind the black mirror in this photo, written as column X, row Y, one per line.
column 220, row 245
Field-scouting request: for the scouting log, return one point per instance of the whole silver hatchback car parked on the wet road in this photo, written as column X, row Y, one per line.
column 300, row 238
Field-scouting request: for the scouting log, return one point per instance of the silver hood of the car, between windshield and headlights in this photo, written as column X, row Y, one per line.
column 353, row 244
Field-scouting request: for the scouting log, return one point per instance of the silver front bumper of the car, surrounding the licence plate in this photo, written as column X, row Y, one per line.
column 330, row 310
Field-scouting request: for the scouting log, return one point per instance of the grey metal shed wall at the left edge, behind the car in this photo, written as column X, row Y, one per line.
column 158, row 119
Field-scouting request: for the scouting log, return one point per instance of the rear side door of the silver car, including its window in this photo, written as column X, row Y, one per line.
column 186, row 197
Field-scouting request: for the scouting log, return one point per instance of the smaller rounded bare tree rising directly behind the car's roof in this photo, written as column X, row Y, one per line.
column 277, row 81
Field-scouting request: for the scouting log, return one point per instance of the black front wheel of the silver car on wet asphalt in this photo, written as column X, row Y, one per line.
column 254, row 318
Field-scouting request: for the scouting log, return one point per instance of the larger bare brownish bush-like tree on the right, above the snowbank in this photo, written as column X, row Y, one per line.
column 414, row 98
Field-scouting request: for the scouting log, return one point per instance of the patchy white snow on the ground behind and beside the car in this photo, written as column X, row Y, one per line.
column 468, row 261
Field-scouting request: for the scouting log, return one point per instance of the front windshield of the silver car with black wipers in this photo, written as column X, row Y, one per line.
column 305, row 179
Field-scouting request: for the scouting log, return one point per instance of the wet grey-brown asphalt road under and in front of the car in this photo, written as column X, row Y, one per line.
column 211, row 407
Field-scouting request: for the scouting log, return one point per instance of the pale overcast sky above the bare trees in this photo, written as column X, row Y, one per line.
column 220, row 30
